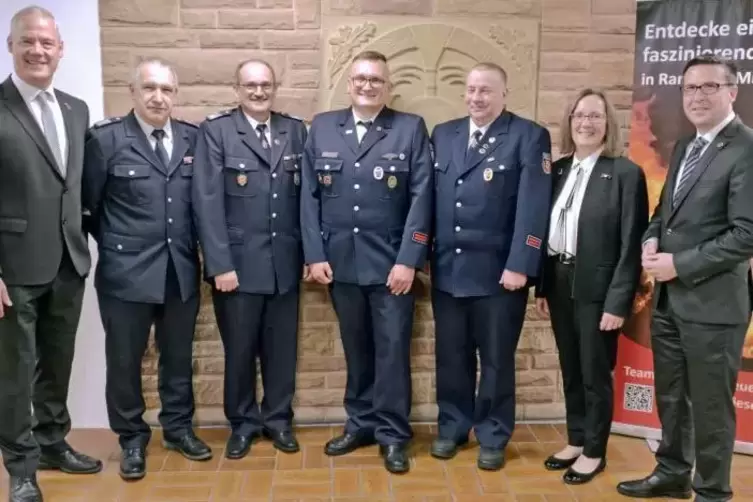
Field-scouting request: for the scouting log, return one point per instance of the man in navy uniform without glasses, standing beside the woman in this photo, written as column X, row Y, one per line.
column 492, row 203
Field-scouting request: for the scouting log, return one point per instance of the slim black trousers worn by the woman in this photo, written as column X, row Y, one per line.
column 587, row 358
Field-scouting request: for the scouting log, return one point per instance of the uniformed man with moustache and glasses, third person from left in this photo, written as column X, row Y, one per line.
column 246, row 197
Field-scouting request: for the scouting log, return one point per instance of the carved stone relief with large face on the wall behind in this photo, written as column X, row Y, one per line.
column 429, row 60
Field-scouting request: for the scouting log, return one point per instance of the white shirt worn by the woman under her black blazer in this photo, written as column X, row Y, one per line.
column 572, row 216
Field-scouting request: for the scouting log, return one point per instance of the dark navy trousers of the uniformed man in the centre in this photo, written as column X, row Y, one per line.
column 376, row 328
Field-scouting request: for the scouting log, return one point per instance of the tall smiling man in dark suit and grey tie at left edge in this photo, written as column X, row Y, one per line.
column 44, row 256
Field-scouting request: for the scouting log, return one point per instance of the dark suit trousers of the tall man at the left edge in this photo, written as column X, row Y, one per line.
column 37, row 340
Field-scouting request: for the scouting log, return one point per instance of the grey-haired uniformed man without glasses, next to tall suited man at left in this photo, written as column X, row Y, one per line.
column 137, row 180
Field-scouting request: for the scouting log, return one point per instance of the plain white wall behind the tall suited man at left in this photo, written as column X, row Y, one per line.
column 79, row 74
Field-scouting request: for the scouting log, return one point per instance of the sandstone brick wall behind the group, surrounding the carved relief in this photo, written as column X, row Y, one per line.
column 577, row 43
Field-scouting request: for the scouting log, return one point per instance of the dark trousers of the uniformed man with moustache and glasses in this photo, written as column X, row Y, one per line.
column 263, row 326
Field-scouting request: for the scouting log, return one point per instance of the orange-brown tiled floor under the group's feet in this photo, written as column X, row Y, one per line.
column 310, row 476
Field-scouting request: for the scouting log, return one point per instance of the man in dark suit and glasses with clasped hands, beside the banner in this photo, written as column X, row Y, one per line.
column 697, row 248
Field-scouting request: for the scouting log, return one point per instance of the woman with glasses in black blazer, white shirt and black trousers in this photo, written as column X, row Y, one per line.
column 591, row 273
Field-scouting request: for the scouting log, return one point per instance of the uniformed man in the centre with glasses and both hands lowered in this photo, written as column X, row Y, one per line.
column 366, row 211
